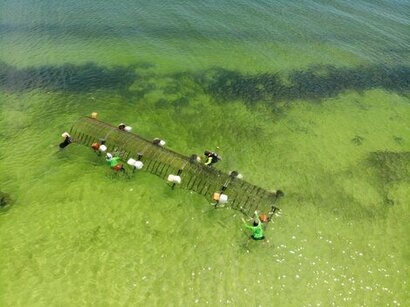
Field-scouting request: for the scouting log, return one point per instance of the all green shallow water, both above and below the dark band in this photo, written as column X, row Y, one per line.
column 77, row 234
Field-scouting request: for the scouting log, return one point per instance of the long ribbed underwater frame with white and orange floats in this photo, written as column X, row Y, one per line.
column 224, row 189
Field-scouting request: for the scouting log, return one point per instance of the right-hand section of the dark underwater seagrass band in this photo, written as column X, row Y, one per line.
column 315, row 83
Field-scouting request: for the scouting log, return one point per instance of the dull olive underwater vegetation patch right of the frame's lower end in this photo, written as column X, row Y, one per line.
column 383, row 169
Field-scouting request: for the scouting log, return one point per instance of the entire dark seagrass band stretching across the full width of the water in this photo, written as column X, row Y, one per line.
column 314, row 84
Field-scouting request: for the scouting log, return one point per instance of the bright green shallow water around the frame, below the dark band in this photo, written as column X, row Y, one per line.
column 77, row 234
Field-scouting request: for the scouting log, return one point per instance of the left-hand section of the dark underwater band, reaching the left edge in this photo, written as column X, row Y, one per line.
column 67, row 77
